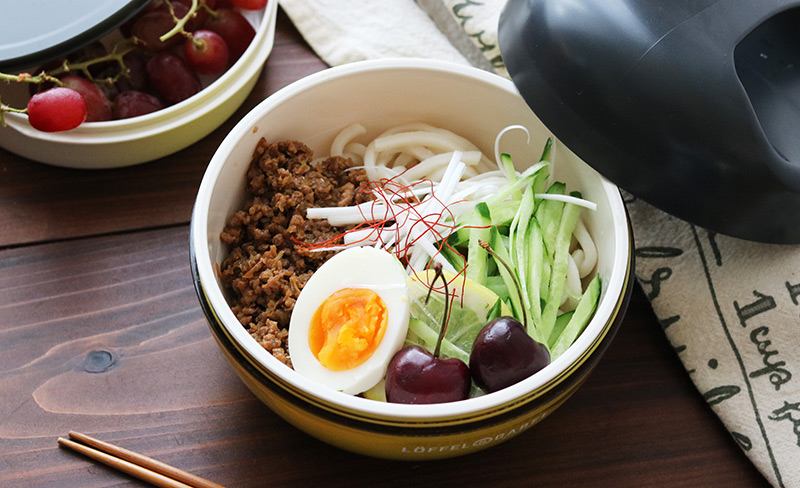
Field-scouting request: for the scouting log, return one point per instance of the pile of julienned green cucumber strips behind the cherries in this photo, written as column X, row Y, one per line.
column 533, row 233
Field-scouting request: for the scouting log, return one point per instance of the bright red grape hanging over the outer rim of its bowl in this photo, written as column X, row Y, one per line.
column 56, row 109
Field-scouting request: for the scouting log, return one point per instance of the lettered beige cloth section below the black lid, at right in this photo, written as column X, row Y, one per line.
column 731, row 310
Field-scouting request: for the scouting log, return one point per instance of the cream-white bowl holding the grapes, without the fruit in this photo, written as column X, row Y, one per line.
column 126, row 142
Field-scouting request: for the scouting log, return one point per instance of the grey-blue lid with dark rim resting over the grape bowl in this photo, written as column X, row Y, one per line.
column 36, row 31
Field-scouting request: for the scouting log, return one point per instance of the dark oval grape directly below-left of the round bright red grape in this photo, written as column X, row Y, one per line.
column 172, row 77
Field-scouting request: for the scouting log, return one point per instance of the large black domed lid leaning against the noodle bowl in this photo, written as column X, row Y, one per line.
column 690, row 106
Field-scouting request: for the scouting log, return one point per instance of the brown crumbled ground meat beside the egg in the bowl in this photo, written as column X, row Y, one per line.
column 266, row 269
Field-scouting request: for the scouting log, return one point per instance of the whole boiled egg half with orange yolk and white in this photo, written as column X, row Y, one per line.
column 350, row 319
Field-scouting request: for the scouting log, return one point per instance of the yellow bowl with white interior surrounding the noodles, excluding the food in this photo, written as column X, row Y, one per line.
column 381, row 94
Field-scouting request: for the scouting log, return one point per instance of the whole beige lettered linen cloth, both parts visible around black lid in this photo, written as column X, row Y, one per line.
column 730, row 308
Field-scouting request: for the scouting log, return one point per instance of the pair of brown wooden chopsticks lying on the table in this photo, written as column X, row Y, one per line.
column 146, row 469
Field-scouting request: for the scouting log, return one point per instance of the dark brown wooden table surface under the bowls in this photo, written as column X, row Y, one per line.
column 101, row 332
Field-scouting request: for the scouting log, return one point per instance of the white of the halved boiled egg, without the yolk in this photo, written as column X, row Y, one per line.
column 360, row 267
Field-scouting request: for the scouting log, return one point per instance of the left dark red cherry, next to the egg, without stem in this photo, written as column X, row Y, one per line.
column 416, row 376
